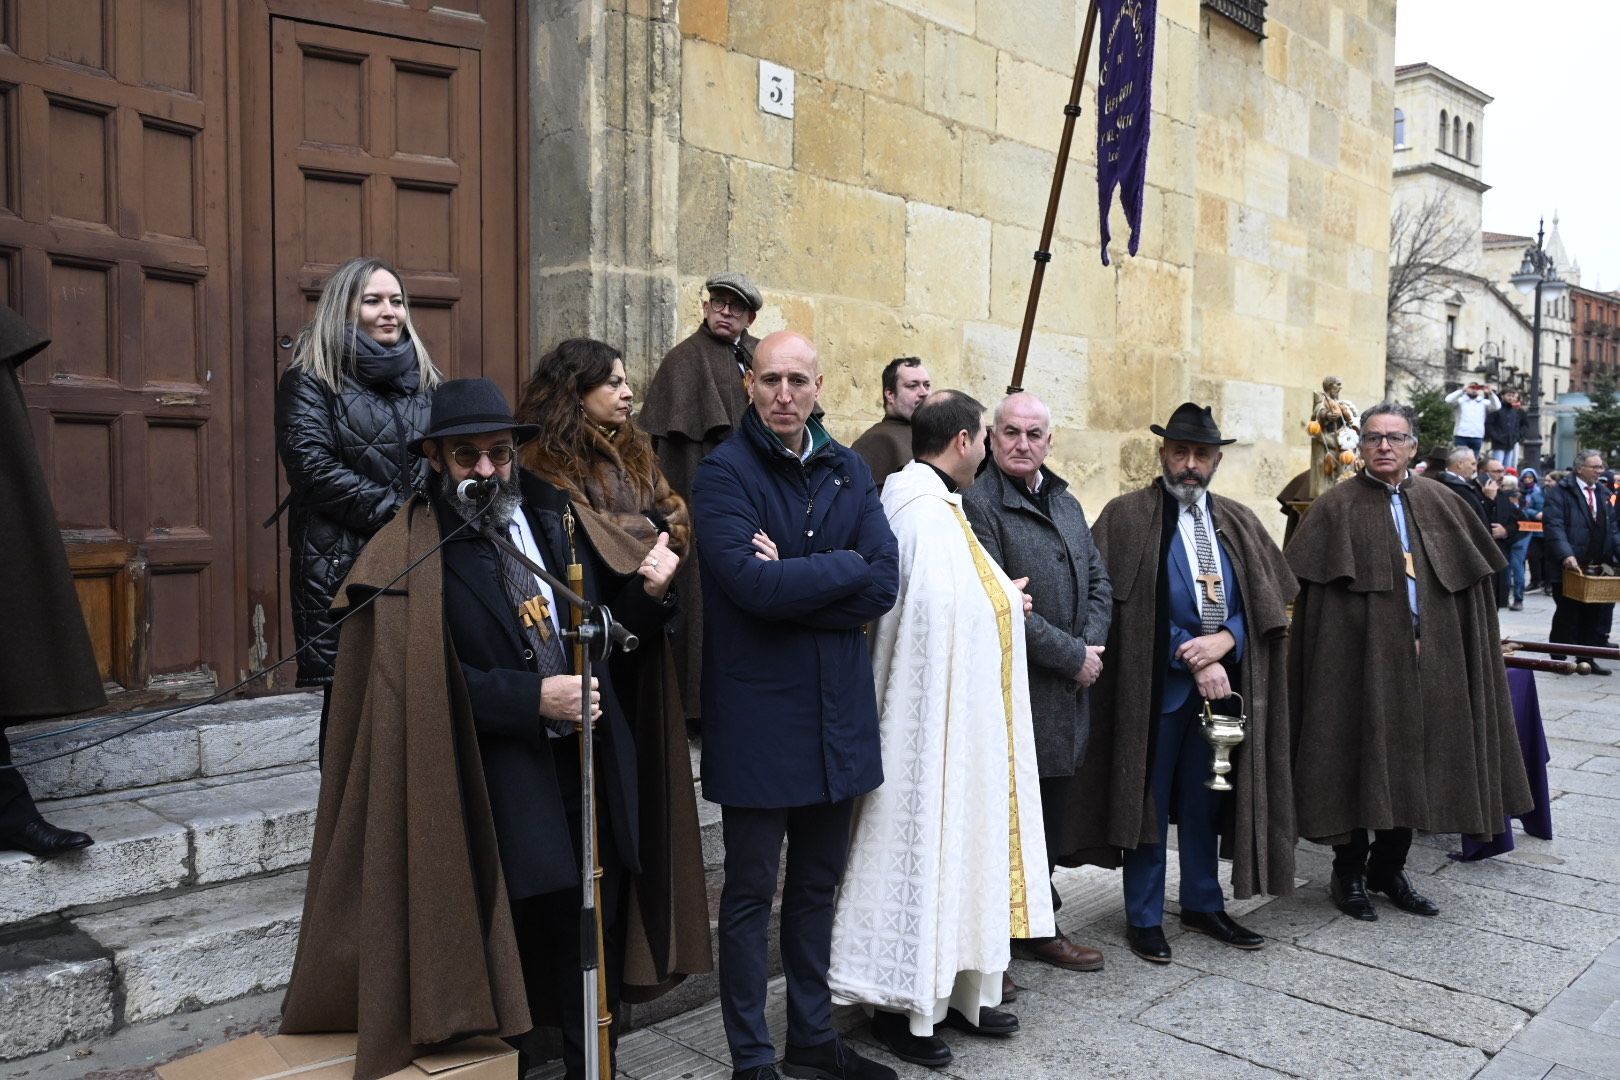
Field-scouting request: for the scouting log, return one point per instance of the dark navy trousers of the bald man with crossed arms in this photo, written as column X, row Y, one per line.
column 817, row 853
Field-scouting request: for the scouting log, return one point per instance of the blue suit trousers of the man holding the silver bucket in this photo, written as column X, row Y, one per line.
column 1182, row 763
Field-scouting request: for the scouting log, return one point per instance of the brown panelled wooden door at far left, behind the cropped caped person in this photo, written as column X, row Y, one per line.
column 114, row 240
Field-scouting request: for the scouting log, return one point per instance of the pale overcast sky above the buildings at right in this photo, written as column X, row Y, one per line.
column 1551, row 137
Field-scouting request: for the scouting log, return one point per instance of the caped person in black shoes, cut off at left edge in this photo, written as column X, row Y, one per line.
column 48, row 666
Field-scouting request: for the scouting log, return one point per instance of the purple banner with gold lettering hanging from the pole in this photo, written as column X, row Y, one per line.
column 1123, row 109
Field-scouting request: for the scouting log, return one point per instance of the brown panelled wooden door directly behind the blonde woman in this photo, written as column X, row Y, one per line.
column 391, row 130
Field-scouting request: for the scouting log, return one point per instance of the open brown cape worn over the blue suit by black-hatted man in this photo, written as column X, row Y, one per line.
column 1111, row 804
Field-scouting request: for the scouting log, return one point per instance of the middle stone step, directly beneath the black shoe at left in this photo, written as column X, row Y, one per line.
column 166, row 838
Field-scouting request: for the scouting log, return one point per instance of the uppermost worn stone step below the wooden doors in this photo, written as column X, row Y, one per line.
column 211, row 741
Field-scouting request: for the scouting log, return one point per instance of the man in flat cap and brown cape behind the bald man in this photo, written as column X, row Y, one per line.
column 693, row 406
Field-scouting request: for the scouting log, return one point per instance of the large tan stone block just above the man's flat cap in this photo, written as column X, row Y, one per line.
column 811, row 236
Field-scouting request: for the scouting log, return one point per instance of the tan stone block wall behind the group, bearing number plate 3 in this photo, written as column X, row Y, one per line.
column 898, row 210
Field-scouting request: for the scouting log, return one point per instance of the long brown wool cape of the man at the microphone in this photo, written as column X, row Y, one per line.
column 407, row 935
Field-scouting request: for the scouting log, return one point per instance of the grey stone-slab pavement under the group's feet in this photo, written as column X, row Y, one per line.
column 1519, row 979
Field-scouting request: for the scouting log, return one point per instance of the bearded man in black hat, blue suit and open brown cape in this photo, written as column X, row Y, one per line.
column 1200, row 623
